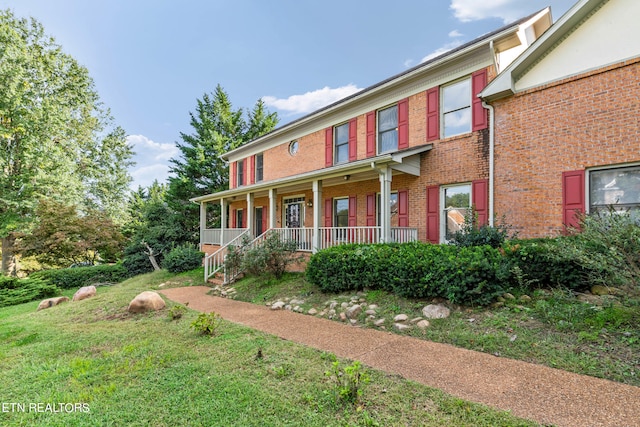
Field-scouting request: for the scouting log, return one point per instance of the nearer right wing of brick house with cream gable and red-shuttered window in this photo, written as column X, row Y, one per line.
column 567, row 120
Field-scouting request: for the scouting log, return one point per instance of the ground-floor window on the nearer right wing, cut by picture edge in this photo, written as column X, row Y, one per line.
column 618, row 187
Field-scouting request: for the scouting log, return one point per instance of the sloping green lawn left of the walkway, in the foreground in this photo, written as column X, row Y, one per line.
column 147, row 370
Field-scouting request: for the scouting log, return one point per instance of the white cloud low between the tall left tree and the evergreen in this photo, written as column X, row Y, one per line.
column 152, row 160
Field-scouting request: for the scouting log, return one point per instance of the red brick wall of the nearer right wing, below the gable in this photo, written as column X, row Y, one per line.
column 581, row 122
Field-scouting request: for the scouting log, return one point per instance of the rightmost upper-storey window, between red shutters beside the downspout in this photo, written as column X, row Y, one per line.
column 456, row 108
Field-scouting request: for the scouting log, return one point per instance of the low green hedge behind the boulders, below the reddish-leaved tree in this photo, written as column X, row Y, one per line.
column 68, row 278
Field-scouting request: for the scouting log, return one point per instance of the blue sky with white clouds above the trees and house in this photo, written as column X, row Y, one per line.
column 151, row 60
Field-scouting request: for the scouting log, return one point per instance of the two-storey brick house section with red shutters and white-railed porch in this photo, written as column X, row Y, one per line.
column 404, row 159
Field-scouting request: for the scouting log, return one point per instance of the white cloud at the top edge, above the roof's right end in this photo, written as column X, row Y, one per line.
column 474, row 10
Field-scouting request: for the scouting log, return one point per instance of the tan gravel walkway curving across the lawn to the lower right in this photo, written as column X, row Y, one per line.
column 546, row 395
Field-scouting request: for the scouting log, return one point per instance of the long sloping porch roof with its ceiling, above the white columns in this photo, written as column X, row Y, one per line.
column 402, row 162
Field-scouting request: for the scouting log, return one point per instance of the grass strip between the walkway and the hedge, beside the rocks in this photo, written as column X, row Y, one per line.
column 553, row 329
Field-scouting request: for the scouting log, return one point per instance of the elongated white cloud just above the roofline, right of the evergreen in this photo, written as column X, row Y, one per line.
column 310, row 101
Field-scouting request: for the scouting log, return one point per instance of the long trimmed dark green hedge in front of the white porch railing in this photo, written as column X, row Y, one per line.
column 466, row 275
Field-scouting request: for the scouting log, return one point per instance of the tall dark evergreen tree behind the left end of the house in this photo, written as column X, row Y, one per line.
column 217, row 128
